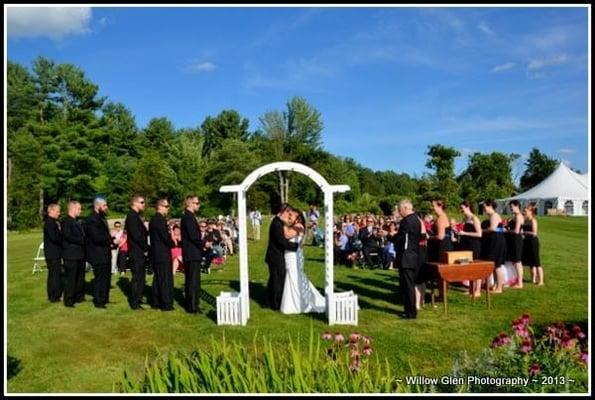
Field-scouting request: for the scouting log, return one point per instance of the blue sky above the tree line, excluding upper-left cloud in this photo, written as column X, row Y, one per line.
column 388, row 81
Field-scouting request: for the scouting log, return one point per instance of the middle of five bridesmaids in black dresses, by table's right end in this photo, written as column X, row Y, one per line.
column 497, row 245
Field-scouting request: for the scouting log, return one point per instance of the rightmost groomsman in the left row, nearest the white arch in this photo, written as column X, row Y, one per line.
column 192, row 246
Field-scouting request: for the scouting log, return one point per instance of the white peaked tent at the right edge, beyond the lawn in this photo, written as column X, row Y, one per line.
column 564, row 190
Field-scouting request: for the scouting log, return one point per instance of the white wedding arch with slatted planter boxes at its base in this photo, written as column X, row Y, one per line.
column 234, row 308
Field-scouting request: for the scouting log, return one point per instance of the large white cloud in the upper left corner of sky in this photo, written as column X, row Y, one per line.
column 52, row 22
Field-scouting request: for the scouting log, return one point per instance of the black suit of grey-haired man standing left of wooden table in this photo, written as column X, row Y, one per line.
column 408, row 260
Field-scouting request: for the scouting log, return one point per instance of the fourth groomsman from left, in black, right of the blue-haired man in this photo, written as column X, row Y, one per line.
column 138, row 250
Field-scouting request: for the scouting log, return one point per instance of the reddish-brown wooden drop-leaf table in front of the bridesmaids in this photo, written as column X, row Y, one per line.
column 477, row 269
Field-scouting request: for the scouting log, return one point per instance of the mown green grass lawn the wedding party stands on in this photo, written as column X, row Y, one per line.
column 56, row 349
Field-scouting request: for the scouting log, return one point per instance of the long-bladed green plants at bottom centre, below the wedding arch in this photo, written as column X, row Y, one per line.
column 345, row 366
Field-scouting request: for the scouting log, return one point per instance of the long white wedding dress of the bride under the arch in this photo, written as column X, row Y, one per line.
column 299, row 294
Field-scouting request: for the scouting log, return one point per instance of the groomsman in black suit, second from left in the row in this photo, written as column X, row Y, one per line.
column 73, row 253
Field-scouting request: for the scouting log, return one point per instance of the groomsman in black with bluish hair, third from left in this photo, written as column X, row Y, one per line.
column 98, row 252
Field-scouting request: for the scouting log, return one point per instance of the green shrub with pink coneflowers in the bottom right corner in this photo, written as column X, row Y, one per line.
column 554, row 362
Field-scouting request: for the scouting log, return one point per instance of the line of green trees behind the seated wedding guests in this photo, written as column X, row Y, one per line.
column 66, row 142
